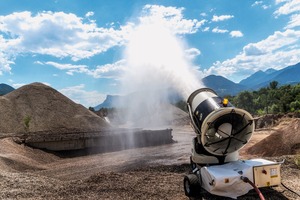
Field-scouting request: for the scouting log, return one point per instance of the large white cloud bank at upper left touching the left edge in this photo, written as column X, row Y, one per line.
column 56, row 34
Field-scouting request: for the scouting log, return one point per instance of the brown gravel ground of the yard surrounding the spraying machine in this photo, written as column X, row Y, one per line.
column 144, row 173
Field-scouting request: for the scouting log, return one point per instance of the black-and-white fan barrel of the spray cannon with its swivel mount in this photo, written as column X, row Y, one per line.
column 221, row 128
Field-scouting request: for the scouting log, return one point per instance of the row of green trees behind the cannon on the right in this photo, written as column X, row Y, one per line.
column 269, row 100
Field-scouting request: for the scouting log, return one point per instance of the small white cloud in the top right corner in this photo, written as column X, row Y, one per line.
column 288, row 7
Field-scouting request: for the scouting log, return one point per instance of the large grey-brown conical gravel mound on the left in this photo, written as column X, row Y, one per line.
column 37, row 107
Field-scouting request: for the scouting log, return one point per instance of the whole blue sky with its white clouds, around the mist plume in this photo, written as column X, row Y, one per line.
column 77, row 47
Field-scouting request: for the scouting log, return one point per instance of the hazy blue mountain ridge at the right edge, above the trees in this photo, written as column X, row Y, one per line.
column 288, row 75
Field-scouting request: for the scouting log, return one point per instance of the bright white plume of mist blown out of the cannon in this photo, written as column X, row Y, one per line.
column 157, row 65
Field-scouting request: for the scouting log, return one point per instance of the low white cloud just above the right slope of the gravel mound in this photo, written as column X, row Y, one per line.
column 80, row 95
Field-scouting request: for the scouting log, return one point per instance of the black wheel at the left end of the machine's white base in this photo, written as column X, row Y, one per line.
column 191, row 185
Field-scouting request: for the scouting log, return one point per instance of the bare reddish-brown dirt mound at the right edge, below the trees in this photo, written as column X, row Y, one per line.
column 284, row 141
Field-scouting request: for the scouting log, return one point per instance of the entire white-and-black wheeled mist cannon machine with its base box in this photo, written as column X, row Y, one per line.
column 221, row 130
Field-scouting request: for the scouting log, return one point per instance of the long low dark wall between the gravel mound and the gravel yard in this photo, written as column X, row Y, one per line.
column 106, row 141
